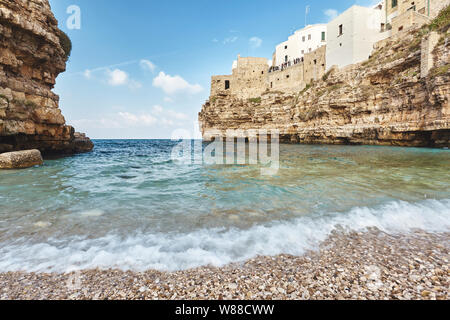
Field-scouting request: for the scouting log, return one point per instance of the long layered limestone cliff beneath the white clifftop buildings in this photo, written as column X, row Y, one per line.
column 383, row 101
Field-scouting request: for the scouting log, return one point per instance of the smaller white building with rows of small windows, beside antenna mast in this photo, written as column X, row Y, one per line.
column 301, row 42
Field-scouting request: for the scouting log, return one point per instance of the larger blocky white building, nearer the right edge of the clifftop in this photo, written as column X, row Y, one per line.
column 352, row 35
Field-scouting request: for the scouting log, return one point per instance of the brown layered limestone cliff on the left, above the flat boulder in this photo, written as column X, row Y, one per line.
column 31, row 57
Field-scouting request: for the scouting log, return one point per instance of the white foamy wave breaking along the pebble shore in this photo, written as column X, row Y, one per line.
column 217, row 247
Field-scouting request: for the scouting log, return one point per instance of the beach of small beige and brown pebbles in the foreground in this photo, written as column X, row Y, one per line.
column 371, row 265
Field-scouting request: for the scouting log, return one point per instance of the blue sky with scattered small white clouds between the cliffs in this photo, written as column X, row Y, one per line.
column 141, row 69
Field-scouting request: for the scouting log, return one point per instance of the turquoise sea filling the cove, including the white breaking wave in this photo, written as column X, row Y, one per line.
column 127, row 205
